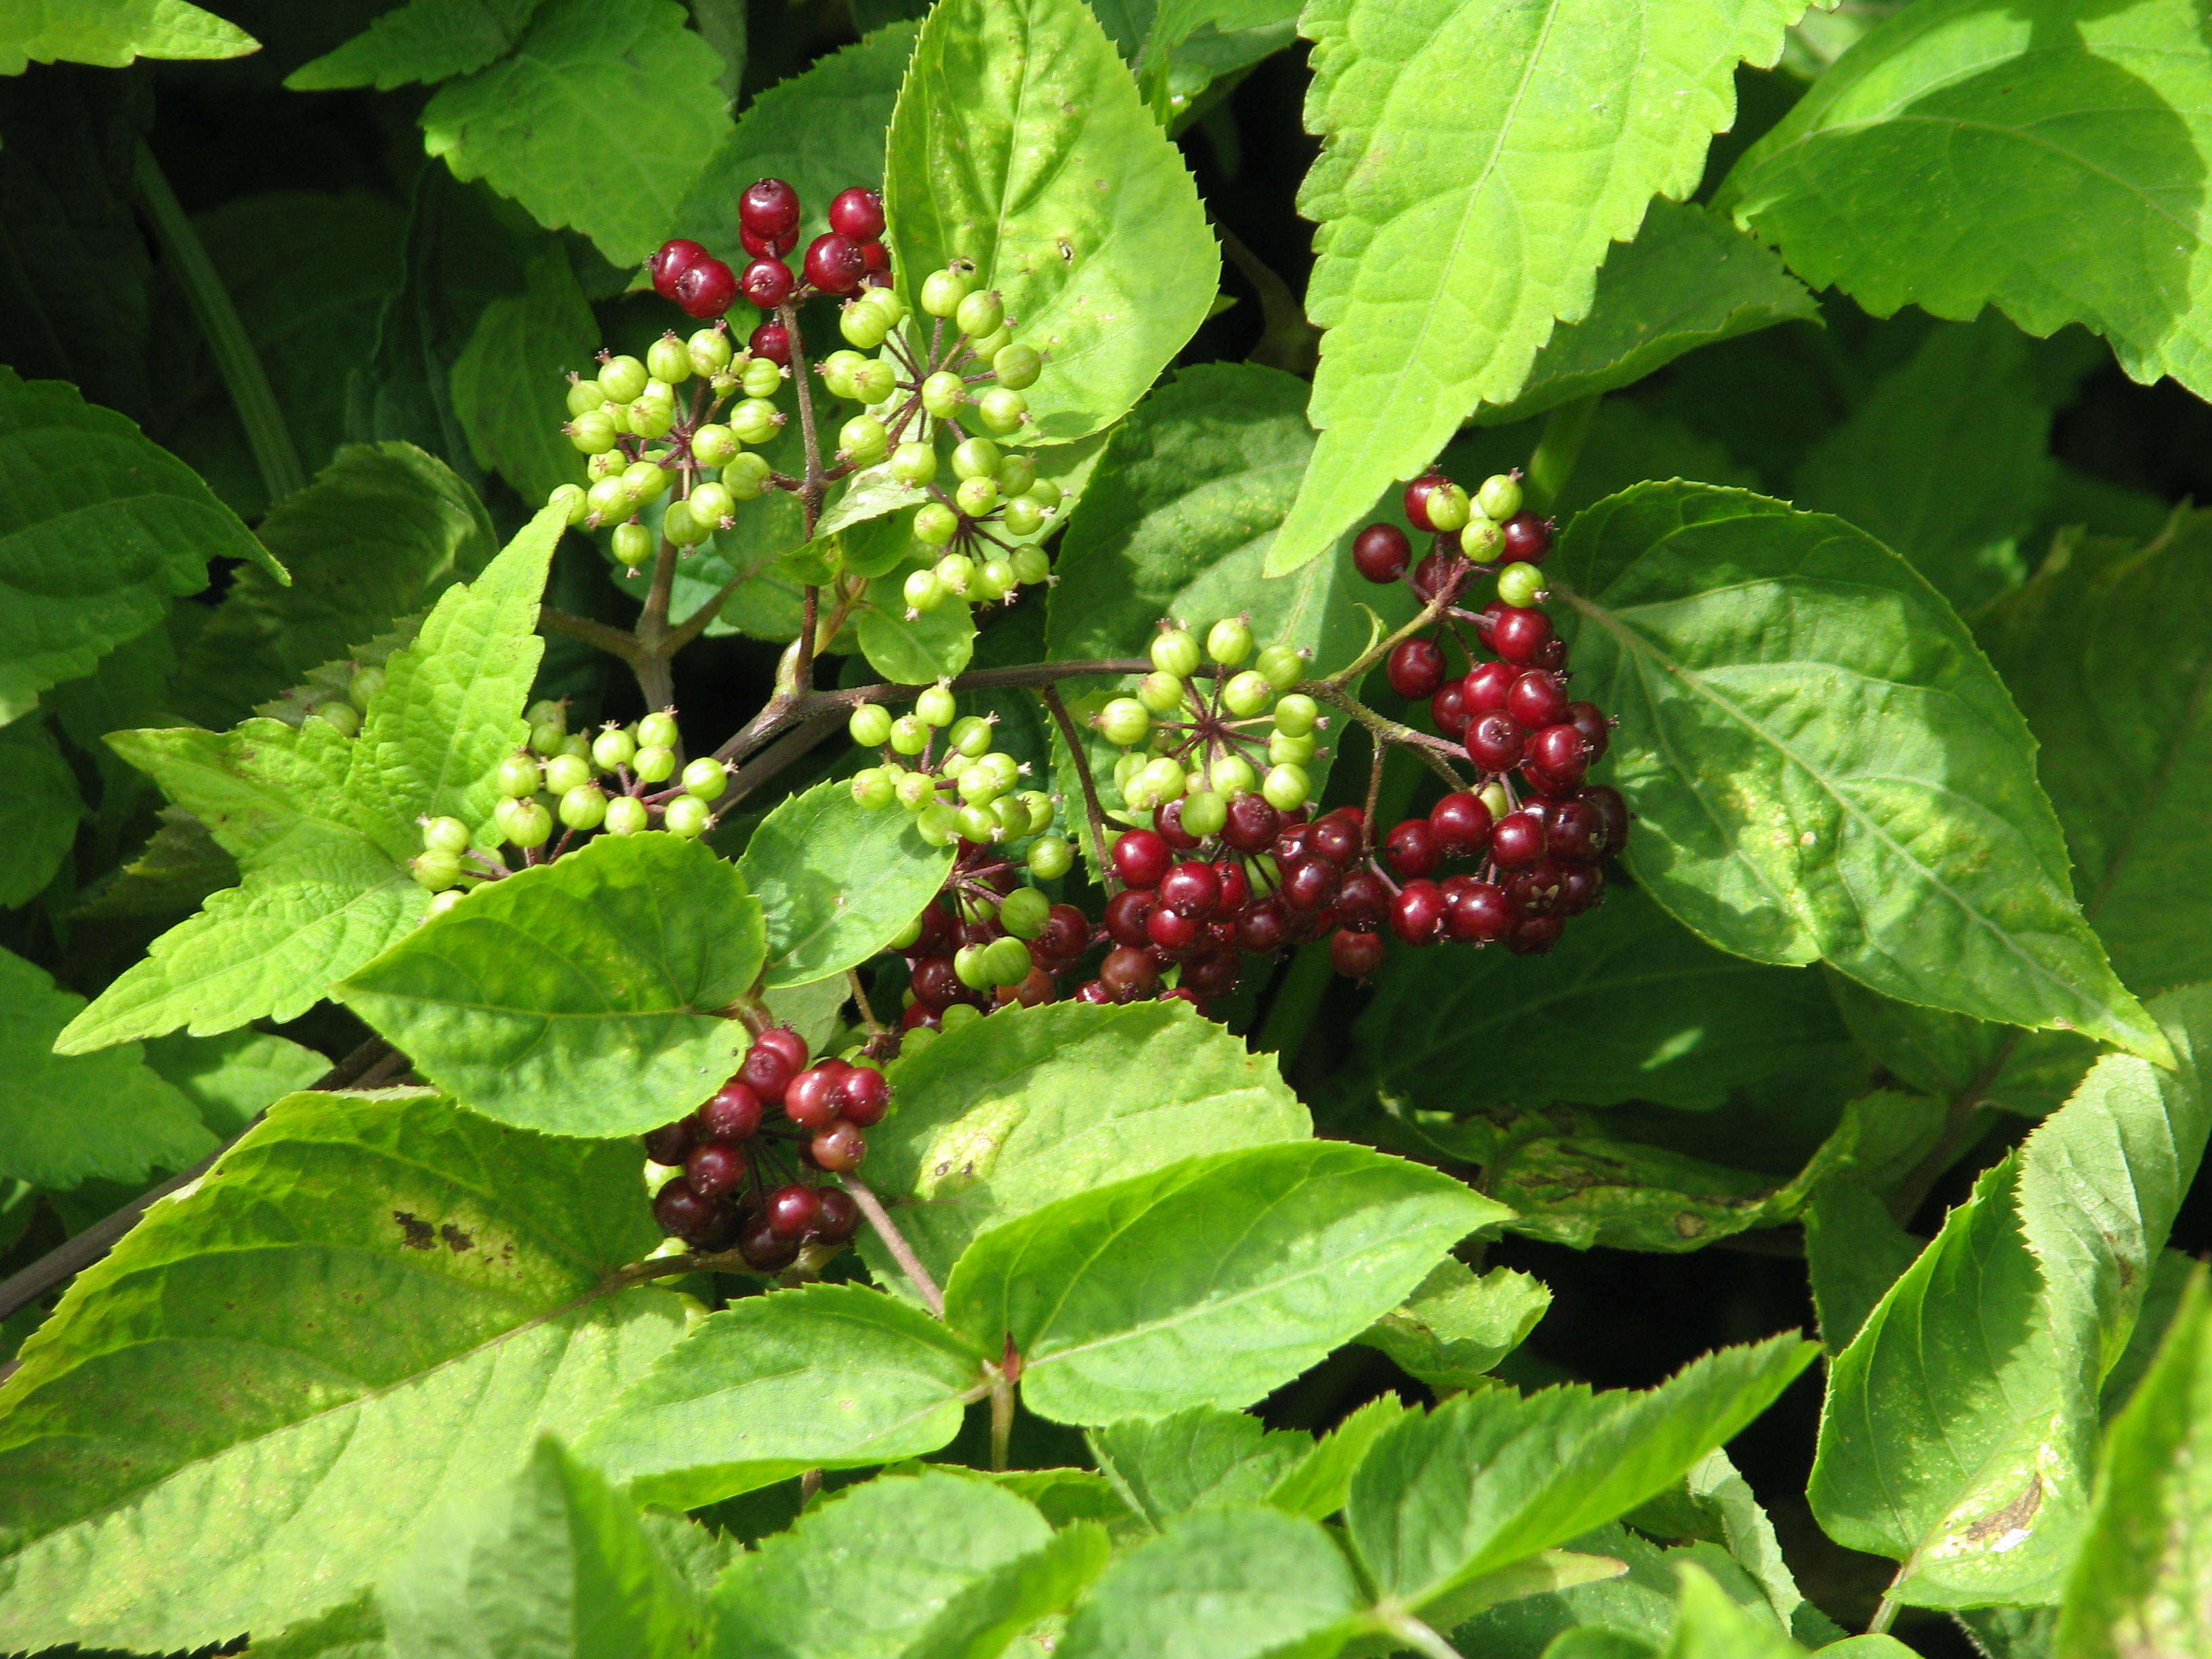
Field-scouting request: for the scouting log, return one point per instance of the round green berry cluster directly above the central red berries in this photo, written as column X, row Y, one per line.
column 1209, row 742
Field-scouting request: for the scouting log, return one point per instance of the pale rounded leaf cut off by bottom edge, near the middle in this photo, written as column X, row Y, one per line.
column 1222, row 1585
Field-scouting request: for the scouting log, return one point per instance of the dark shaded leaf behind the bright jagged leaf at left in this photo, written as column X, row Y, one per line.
column 371, row 541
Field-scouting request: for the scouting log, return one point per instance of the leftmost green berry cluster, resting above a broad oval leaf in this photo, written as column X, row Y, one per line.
column 620, row 782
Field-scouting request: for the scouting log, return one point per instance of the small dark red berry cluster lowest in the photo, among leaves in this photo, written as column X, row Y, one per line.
column 744, row 1176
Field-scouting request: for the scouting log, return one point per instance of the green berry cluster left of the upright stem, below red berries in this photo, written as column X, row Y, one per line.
column 645, row 435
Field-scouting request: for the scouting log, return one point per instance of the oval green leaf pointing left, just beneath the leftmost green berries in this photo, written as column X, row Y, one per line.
column 581, row 997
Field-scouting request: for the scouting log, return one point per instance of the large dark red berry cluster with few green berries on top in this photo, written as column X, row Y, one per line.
column 1534, row 831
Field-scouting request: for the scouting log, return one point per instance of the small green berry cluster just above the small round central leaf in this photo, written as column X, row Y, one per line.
column 939, row 764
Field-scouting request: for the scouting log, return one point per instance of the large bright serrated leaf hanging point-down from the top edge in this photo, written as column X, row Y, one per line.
column 1477, row 160
